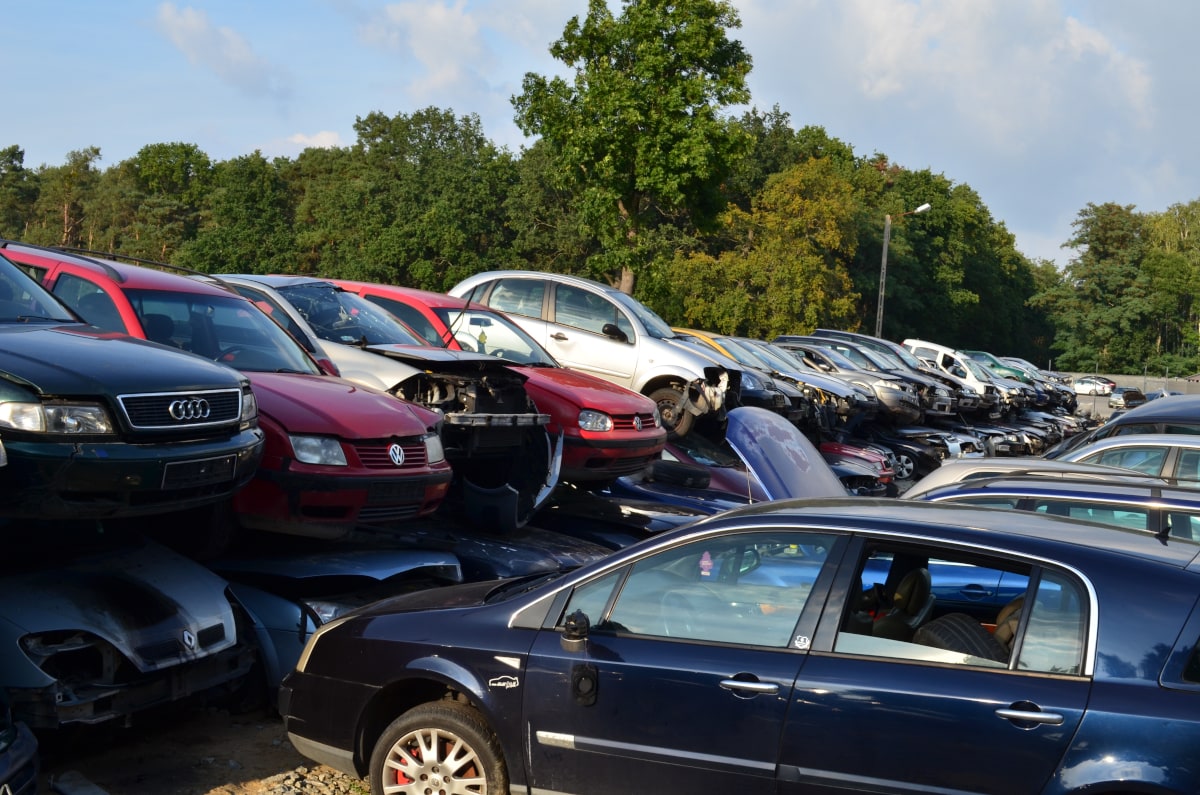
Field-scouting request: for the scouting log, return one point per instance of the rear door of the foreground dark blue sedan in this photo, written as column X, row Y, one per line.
column 950, row 708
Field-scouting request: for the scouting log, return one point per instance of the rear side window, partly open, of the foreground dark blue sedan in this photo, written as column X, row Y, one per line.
column 958, row 608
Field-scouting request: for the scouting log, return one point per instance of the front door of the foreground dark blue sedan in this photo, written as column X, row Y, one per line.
column 686, row 678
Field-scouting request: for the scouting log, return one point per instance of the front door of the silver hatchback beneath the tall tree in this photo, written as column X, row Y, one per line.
column 575, row 336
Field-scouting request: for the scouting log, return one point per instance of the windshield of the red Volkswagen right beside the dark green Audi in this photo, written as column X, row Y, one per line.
column 229, row 330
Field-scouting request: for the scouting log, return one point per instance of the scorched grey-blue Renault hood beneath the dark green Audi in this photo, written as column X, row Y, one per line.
column 157, row 607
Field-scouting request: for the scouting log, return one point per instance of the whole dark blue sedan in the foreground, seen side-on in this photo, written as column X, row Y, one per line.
column 745, row 654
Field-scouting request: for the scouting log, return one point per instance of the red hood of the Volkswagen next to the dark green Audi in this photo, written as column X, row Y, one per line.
column 308, row 404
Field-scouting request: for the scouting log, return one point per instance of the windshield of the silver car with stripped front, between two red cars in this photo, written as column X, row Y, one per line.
column 344, row 318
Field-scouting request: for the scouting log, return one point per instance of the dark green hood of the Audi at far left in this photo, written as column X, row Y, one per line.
column 59, row 361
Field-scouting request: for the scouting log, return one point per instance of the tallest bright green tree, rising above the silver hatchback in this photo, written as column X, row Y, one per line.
column 638, row 135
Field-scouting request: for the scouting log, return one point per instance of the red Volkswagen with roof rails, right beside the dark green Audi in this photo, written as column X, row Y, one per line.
column 337, row 455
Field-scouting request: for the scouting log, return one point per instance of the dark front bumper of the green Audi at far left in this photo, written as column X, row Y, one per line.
column 93, row 481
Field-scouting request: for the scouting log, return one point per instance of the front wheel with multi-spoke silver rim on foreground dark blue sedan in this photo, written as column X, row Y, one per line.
column 422, row 742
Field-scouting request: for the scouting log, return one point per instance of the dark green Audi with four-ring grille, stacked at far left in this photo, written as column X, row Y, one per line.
column 97, row 425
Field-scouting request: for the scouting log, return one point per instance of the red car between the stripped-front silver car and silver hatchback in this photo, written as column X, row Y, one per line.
column 608, row 431
